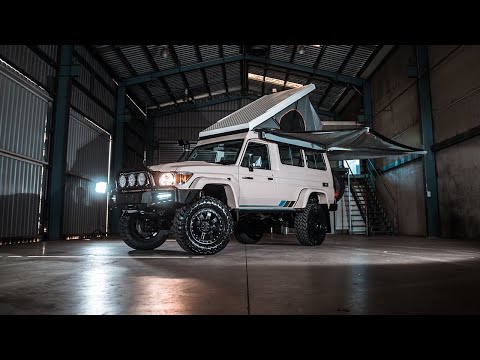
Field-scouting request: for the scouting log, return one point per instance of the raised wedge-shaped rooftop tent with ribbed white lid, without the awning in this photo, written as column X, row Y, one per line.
column 288, row 110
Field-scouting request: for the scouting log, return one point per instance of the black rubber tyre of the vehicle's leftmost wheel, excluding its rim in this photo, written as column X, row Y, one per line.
column 134, row 239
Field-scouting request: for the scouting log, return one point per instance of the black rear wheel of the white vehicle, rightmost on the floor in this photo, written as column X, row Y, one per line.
column 311, row 225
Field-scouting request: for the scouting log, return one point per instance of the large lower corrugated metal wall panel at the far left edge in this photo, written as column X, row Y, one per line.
column 24, row 112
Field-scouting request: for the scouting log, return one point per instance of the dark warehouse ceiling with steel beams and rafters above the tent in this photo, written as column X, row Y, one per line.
column 274, row 67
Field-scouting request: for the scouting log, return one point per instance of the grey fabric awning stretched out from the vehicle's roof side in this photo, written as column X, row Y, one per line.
column 343, row 144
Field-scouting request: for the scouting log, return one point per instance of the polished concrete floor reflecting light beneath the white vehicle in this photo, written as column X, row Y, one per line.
column 345, row 275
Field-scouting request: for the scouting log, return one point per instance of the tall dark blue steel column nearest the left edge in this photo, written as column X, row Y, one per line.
column 58, row 152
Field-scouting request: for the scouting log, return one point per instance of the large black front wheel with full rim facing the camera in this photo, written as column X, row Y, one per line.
column 203, row 227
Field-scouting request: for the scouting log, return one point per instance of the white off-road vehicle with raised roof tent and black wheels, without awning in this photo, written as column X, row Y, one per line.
column 252, row 170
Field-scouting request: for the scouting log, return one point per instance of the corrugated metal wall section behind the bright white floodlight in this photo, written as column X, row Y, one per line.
column 87, row 164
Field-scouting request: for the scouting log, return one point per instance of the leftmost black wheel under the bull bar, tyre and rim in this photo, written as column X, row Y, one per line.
column 141, row 232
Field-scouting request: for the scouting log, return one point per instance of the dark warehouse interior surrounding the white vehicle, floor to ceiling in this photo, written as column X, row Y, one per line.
column 73, row 116
